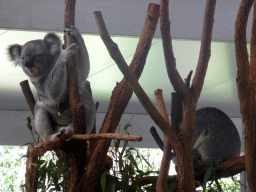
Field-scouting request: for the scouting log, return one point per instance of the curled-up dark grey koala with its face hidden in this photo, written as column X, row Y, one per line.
column 216, row 138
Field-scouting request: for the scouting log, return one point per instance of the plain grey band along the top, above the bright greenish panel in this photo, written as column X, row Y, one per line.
column 123, row 17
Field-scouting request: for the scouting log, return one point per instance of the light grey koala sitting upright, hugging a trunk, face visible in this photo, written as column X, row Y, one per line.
column 44, row 62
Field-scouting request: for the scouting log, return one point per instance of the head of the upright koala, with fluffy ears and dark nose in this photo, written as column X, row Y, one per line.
column 36, row 57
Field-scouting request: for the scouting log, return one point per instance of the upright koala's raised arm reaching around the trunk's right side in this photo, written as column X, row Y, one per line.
column 83, row 63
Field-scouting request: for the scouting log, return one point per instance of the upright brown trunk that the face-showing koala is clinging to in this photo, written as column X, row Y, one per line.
column 77, row 110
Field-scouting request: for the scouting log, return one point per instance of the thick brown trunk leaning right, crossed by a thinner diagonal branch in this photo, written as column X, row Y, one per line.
column 120, row 97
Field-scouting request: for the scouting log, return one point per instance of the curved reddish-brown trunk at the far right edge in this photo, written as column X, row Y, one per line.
column 246, row 91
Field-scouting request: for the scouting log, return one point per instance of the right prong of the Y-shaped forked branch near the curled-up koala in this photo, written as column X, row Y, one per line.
column 205, row 49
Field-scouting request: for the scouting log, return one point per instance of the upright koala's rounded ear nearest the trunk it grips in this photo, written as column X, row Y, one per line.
column 53, row 43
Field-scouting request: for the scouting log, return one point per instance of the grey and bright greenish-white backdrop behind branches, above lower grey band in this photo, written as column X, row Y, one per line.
column 124, row 20
